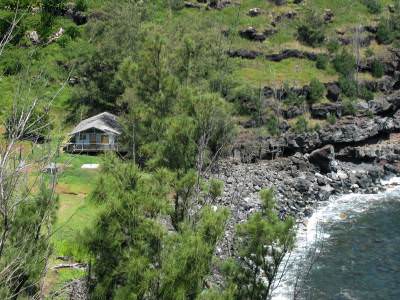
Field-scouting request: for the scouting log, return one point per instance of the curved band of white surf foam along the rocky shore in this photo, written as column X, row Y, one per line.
column 310, row 236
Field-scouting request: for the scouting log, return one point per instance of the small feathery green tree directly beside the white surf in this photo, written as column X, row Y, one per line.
column 262, row 243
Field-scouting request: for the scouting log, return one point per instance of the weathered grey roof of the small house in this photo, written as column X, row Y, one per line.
column 105, row 122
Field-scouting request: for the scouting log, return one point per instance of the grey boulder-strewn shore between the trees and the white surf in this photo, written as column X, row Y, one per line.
column 302, row 182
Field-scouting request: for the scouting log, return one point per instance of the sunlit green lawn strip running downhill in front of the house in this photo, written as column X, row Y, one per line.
column 76, row 212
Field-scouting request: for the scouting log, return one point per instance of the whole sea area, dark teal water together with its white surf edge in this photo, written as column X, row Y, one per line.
column 348, row 249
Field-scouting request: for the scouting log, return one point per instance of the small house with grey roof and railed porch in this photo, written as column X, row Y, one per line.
column 97, row 134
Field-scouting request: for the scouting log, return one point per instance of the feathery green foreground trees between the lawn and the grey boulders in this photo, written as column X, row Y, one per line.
column 134, row 255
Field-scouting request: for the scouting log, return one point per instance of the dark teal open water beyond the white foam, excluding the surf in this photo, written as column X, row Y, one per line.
column 361, row 257
